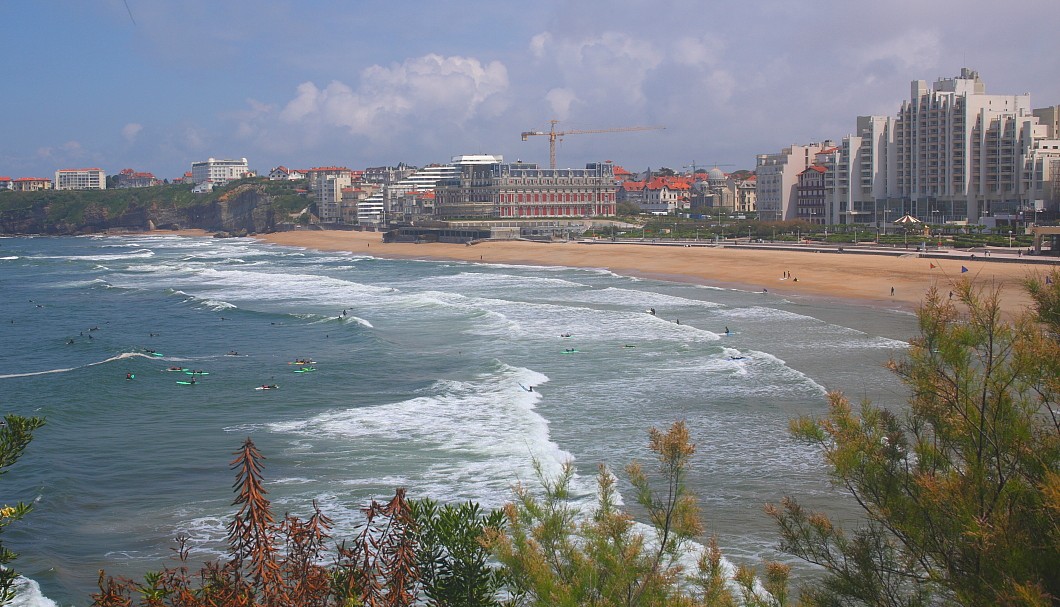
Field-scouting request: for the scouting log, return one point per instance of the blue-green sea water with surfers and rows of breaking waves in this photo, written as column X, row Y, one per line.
column 423, row 381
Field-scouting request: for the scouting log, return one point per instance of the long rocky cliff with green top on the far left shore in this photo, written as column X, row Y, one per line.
column 243, row 208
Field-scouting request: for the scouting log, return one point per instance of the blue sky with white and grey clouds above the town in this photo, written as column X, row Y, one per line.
column 156, row 85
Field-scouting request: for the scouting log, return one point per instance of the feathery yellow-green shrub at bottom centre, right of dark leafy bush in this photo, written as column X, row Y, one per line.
column 559, row 556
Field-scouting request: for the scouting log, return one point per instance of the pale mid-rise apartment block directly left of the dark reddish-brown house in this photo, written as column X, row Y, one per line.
column 778, row 178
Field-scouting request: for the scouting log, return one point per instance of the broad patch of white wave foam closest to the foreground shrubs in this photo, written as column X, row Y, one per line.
column 461, row 440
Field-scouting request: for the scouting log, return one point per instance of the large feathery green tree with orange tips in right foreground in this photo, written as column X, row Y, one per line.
column 961, row 493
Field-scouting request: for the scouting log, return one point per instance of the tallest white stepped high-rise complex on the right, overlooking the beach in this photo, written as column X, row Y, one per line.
column 953, row 154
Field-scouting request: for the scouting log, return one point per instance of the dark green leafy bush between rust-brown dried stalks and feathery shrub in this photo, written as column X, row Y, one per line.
column 454, row 563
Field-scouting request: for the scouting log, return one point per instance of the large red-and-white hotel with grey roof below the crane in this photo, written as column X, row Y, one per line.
column 524, row 190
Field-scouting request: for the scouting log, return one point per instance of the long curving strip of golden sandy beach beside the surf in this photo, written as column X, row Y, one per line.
column 858, row 278
